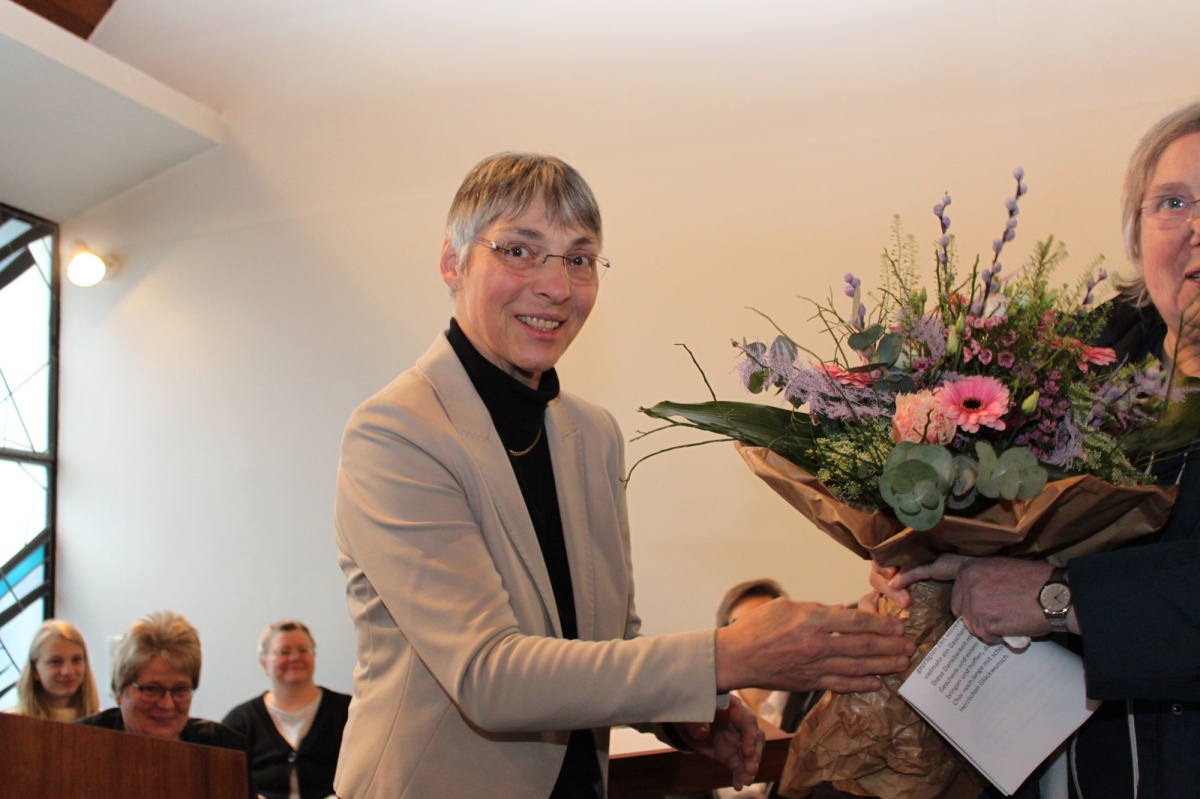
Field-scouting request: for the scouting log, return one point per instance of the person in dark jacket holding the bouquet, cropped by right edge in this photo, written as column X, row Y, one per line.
column 1132, row 611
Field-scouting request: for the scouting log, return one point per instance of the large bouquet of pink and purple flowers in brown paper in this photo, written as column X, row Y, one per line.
column 971, row 417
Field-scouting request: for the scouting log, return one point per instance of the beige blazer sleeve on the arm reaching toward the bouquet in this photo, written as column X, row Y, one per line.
column 411, row 520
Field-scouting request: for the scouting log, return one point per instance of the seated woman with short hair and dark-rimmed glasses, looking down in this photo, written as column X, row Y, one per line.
column 157, row 669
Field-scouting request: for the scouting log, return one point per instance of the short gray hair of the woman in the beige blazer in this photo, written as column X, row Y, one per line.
column 505, row 187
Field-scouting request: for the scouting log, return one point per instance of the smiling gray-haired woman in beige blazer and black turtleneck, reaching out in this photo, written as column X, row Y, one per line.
column 481, row 522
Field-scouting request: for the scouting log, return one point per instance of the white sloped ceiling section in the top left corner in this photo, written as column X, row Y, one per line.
column 81, row 127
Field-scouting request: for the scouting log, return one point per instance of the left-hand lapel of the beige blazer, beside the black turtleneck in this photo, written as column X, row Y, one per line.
column 470, row 417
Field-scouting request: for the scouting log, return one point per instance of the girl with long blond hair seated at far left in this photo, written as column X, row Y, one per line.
column 57, row 682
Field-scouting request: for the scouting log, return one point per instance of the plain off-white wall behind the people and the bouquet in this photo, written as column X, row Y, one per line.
column 745, row 155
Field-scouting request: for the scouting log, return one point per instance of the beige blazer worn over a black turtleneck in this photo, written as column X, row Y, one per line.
column 464, row 687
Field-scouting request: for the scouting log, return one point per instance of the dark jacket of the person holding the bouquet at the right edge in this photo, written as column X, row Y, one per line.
column 1141, row 616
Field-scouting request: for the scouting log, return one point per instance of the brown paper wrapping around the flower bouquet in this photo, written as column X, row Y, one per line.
column 875, row 744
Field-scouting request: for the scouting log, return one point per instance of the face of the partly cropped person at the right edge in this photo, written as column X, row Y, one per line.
column 1171, row 255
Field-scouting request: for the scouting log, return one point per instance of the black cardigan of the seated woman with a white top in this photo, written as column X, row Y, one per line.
column 272, row 758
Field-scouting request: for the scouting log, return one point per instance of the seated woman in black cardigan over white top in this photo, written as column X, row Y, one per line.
column 295, row 731
